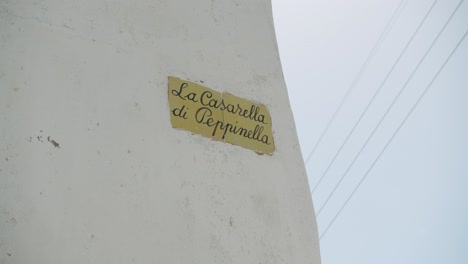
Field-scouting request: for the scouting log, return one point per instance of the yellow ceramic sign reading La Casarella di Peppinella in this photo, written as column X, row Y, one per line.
column 220, row 116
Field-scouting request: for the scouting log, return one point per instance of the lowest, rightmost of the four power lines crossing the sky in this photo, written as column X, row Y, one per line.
column 392, row 137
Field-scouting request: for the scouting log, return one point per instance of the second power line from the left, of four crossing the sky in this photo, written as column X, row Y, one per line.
column 374, row 96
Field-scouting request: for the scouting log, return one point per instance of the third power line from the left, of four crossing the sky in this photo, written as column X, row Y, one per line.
column 390, row 107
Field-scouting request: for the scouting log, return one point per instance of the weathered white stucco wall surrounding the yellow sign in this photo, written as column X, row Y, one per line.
column 123, row 186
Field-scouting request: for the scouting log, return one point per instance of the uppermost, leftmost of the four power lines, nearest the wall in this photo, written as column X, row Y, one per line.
column 356, row 79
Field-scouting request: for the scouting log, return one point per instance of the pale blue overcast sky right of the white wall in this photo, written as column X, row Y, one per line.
column 413, row 205
